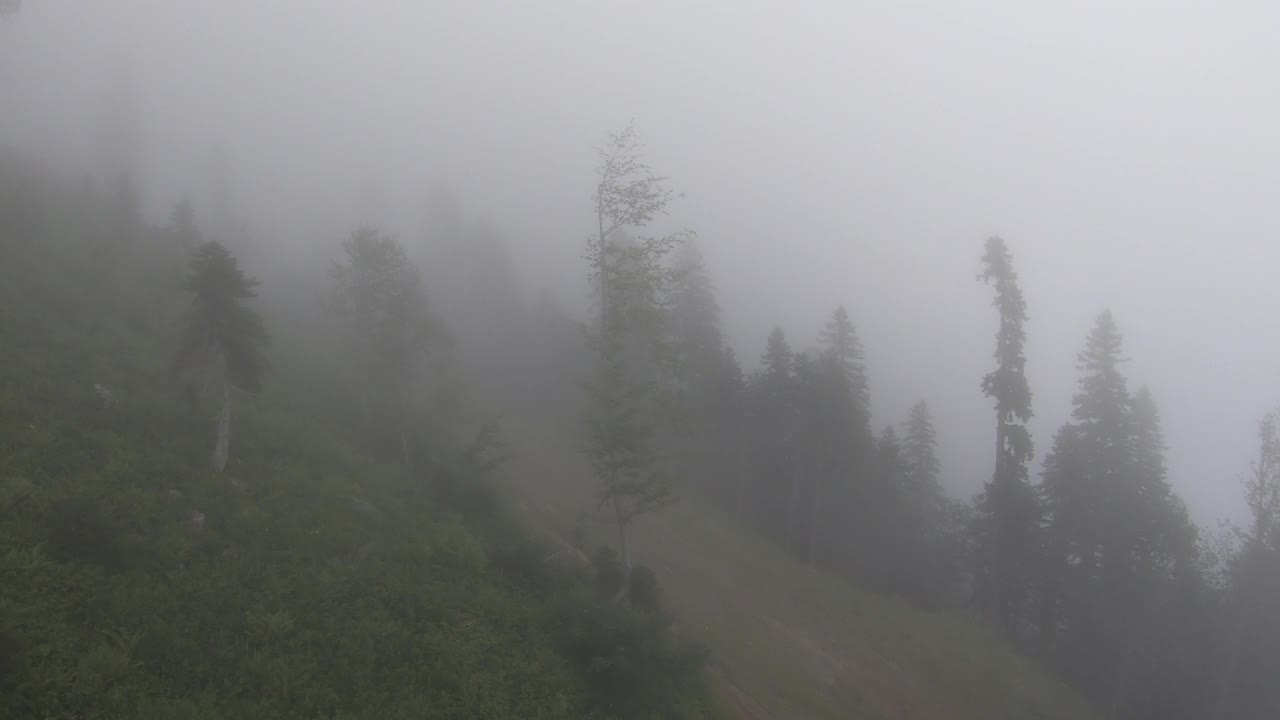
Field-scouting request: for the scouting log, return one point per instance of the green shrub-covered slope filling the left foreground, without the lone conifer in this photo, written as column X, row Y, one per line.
column 312, row 581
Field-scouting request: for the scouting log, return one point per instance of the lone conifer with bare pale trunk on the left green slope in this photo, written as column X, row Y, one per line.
column 222, row 336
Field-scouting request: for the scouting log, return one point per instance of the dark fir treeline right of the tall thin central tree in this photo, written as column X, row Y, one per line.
column 1091, row 564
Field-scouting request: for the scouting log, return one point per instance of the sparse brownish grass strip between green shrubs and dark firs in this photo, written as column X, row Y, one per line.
column 789, row 641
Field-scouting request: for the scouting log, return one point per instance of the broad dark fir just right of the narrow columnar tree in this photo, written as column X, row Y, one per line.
column 1119, row 548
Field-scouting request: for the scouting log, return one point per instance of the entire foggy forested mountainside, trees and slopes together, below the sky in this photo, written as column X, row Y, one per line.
column 246, row 480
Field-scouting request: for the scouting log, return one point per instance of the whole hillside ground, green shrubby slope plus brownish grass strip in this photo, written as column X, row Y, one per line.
column 319, row 580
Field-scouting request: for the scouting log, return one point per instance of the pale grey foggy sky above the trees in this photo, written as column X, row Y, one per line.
column 831, row 153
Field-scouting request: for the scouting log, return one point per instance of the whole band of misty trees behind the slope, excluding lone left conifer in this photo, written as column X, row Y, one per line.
column 1087, row 562
